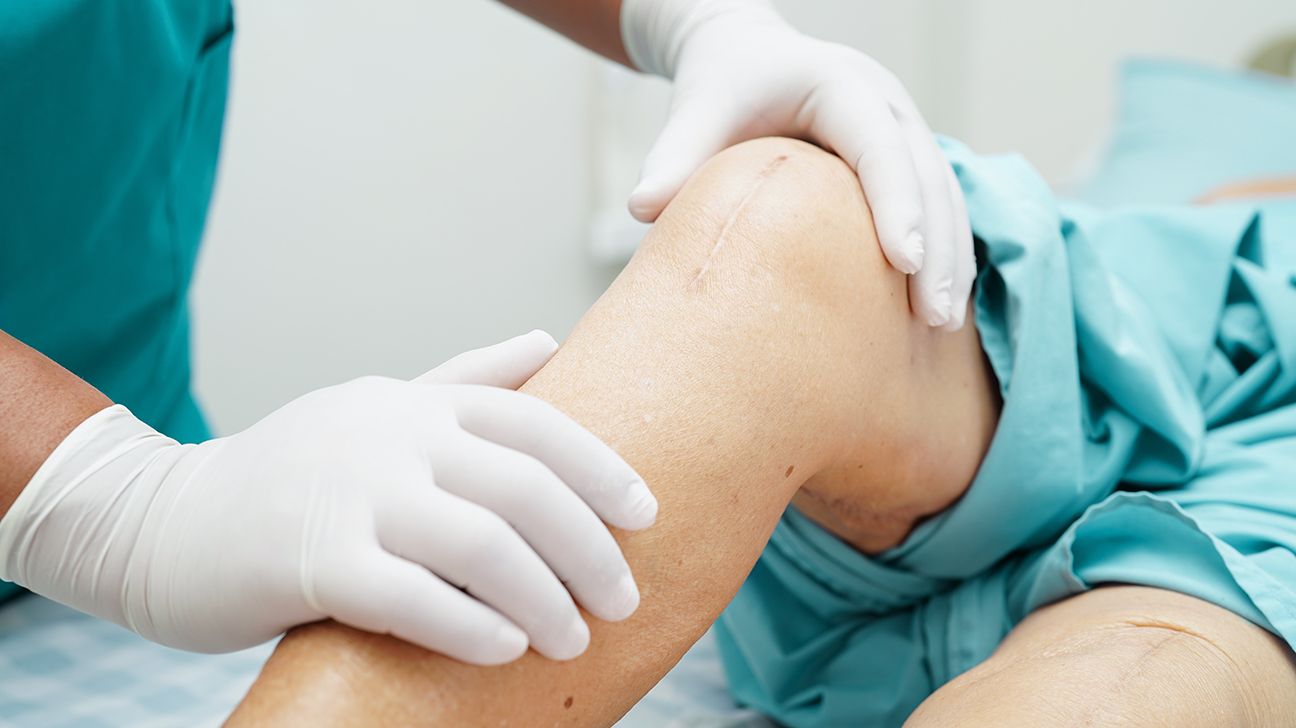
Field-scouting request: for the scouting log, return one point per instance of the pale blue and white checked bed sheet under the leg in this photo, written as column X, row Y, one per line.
column 60, row 669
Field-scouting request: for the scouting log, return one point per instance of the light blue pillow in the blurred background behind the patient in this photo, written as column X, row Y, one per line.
column 1184, row 130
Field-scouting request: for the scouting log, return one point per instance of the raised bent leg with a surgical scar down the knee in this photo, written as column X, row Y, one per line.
column 756, row 344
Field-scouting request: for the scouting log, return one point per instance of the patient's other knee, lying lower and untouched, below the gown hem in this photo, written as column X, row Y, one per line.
column 1124, row 656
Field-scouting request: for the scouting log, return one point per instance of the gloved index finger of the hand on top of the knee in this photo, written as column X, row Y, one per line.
column 862, row 130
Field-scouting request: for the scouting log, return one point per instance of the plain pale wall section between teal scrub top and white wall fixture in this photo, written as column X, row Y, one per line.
column 401, row 181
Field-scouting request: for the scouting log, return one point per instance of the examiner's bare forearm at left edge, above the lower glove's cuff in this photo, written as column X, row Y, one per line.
column 41, row 404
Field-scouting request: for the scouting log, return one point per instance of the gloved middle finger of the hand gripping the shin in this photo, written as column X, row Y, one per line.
column 562, row 529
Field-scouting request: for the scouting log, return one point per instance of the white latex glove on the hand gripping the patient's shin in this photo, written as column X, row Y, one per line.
column 373, row 503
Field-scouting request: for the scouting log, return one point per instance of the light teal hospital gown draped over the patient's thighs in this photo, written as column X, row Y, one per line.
column 1148, row 363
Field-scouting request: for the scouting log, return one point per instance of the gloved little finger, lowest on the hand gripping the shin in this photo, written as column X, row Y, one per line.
column 379, row 593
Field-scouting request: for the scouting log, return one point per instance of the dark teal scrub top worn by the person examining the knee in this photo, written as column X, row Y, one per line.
column 111, row 117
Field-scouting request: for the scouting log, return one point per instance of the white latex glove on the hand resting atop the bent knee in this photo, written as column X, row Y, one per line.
column 741, row 73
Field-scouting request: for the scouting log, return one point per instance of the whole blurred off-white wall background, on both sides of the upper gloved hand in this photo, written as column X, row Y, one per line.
column 408, row 179
